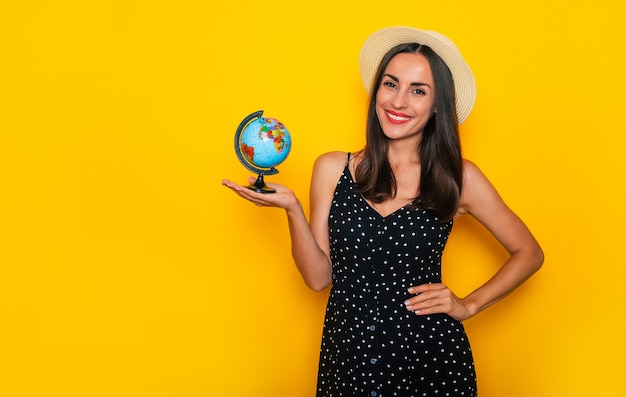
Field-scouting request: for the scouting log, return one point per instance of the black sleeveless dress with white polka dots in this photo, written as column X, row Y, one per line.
column 371, row 344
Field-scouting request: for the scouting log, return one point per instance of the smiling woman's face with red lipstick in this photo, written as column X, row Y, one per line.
column 405, row 100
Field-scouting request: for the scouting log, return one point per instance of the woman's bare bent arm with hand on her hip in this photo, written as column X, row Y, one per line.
column 481, row 200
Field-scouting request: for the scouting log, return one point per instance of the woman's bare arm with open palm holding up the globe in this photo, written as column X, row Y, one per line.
column 309, row 239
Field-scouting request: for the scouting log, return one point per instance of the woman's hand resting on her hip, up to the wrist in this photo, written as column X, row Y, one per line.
column 437, row 298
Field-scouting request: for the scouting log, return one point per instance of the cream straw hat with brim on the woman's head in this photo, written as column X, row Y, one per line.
column 379, row 43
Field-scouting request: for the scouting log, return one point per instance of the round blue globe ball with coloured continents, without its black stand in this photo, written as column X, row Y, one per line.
column 265, row 142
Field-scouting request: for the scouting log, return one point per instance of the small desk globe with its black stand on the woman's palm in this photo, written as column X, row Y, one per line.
column 262, row 143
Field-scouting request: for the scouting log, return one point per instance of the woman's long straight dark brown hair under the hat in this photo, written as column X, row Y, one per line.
column 439, row 151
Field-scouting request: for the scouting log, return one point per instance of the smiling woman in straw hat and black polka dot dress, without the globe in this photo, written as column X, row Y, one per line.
column 379, row 222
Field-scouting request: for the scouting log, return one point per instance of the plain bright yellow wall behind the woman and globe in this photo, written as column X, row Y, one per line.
column 127, row 269
